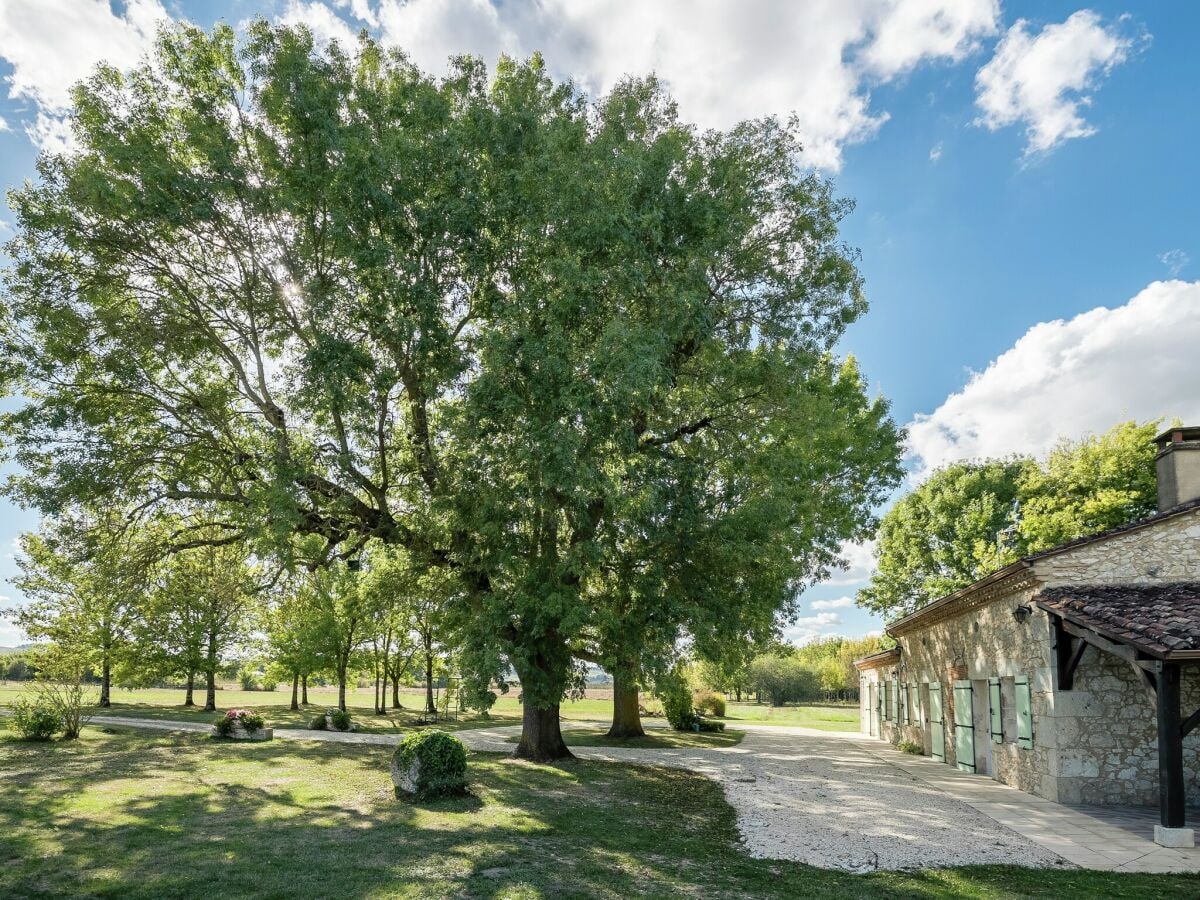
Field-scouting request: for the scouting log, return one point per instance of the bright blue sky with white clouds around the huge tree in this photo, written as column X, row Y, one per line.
column 1025, row 181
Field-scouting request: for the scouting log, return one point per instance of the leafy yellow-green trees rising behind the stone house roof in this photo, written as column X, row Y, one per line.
column 970, row 519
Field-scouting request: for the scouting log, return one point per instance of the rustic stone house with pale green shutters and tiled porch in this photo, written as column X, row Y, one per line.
column 1073, row 674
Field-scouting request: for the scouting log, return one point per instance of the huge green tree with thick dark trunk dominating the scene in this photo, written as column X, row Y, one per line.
column 323, row 293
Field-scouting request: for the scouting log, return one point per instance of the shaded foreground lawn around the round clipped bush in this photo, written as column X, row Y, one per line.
column 134, row 815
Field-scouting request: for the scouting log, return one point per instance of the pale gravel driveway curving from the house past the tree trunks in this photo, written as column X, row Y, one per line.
column 803, row 795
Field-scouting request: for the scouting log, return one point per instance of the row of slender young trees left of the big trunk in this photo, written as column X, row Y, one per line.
column 107, row 596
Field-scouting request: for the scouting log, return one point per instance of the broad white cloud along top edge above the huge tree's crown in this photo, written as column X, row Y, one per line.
column 723, row 62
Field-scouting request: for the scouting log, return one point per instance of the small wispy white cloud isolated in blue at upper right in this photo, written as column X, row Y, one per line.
column 1045, row 79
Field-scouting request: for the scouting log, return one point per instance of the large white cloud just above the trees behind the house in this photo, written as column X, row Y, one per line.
column 1066, row 379
